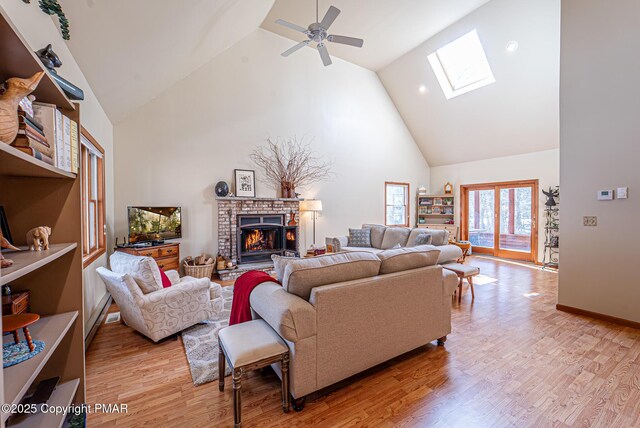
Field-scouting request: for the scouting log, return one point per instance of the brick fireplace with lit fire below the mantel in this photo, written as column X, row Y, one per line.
column 250, row 230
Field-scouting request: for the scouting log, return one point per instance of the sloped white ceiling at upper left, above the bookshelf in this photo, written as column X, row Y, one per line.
column 132, row 50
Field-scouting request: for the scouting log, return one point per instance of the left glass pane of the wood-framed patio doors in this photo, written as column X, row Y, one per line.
column 481, row 218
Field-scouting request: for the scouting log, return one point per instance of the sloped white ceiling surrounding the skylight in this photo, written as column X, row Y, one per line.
column 517, row 114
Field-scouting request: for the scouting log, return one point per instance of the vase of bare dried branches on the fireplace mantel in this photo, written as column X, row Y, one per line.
column 290, row 164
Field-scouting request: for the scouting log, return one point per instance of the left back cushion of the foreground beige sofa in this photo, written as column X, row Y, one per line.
column 302, row 275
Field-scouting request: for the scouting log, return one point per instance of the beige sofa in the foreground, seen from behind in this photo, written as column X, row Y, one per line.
column 343, row 313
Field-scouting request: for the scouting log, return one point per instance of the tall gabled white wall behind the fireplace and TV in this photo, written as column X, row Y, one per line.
column 175, row 148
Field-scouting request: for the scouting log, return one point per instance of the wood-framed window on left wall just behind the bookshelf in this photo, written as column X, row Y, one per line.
column 93, row 209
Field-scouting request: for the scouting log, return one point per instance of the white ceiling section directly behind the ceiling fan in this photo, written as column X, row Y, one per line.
column 390, row 28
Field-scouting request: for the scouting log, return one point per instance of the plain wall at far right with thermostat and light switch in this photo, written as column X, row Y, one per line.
column 599, row 105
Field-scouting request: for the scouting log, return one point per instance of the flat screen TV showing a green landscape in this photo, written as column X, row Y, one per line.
column 148, row 224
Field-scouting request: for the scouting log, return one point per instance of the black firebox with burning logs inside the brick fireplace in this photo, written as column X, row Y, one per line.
column 261, row 236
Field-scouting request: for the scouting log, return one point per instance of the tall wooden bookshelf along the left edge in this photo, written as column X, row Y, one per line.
column 34, row 193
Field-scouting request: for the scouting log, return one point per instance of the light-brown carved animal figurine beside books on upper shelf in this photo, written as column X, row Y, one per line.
column 17, row 89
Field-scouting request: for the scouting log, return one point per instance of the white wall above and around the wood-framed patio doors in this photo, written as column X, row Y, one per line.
column 543, row 166
